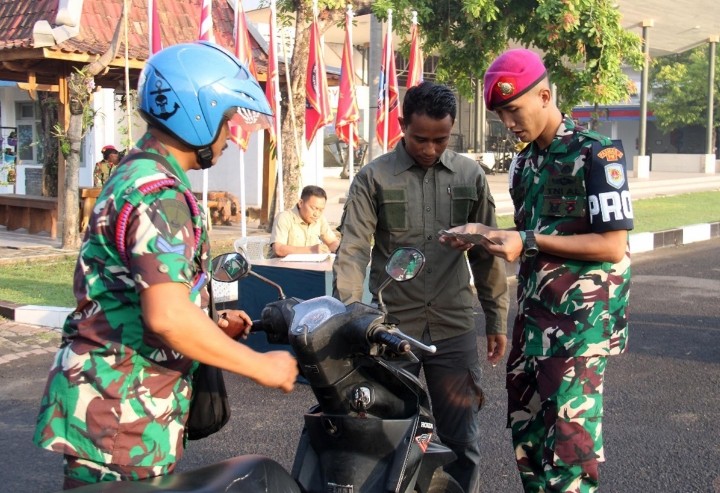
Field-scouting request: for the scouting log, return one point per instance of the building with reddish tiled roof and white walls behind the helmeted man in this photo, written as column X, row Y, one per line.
column 43, row 41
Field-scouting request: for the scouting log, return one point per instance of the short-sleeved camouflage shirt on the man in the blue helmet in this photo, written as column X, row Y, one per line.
column 116, row 393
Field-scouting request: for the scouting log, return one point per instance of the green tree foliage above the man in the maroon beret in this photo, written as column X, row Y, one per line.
column 584, row 43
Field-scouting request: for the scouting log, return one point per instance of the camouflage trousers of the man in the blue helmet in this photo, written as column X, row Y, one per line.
column 81, row 472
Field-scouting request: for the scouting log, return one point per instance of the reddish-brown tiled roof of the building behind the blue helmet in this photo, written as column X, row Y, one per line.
column 35, row 39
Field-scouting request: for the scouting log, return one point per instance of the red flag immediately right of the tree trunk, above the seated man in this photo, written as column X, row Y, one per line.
column 317, row 105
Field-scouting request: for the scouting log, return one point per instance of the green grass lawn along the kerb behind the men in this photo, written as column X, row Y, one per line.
column 50, row 283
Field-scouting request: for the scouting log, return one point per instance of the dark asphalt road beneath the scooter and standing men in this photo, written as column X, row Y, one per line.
column 662, row 420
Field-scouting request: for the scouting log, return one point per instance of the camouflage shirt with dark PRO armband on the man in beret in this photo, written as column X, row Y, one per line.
column 572, row 308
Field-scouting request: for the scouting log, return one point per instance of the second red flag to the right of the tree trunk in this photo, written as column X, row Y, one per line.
column 348, row 113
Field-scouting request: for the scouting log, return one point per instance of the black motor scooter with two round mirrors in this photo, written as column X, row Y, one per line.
column 372, row 430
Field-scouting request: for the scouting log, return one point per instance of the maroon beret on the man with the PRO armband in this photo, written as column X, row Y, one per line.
column 511, row 75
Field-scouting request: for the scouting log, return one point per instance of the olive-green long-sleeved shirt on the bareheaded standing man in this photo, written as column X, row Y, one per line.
column 395, row 202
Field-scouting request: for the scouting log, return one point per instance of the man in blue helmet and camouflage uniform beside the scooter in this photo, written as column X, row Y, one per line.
column 118, row 393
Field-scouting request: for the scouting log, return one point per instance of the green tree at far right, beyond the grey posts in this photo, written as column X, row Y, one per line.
column 680, row 90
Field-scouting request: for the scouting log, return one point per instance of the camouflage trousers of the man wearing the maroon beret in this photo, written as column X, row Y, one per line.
column 555, row 416
